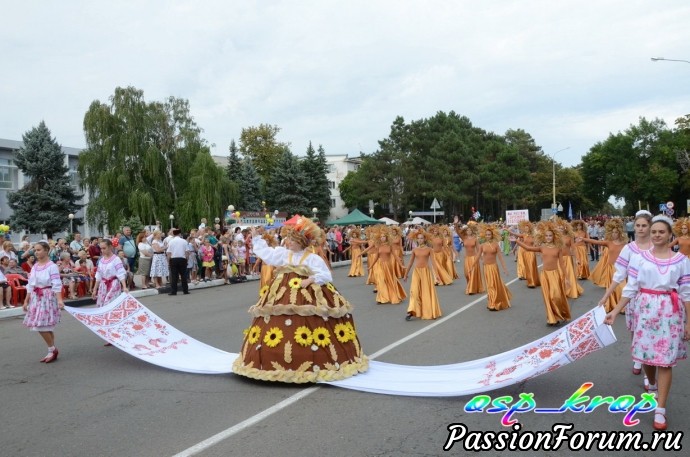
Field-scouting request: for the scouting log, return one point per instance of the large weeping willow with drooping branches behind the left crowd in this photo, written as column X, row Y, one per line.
column 141, row 160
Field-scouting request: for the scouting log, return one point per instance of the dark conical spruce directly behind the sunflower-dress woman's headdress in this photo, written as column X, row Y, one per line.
column 285, row 189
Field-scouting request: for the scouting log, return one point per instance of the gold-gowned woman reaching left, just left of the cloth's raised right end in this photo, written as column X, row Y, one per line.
column 549, row 243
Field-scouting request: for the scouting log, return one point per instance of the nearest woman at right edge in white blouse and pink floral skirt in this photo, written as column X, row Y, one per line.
column 659, row 281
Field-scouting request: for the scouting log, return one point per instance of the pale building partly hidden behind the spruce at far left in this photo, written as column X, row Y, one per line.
column 12, row 179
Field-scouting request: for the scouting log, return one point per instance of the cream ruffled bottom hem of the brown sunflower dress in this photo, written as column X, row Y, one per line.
column 301, row 375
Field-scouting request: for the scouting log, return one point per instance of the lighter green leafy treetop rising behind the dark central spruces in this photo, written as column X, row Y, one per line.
column 262, row 147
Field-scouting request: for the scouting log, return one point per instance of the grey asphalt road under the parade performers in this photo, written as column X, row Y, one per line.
column 98, row 401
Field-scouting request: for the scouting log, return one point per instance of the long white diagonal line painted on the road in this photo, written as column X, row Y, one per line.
column 227, row 433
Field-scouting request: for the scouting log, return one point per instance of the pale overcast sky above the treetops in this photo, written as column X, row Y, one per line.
column 338, row 73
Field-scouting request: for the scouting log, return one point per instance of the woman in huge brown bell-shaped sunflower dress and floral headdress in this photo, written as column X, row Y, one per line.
column 302, row 329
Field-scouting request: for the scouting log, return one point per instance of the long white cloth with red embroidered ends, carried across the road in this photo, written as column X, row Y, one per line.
column 133, row 328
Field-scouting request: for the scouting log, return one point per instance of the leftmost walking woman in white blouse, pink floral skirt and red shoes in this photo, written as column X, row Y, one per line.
column 43, row 300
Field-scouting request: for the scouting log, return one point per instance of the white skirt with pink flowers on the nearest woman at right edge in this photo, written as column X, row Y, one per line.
column 657, row 337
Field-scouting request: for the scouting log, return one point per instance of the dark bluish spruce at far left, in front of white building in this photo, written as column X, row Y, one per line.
column 43, row 204
